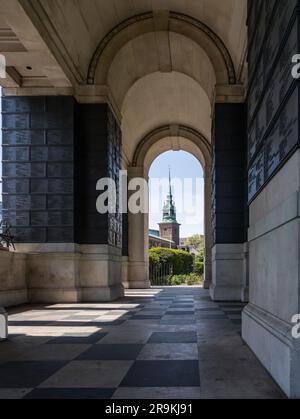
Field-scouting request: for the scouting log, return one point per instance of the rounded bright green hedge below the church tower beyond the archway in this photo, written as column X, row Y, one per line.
column 181, row 262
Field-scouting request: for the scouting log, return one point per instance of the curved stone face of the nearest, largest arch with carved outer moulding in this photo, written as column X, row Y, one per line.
column 171, row 21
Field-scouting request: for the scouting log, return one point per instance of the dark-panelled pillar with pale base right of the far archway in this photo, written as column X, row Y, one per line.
column 228, row 202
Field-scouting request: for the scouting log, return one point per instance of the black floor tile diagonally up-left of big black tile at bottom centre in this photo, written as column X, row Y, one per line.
column 111, row 352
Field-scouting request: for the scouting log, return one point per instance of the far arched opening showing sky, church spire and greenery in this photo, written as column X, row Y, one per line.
column 176, row 217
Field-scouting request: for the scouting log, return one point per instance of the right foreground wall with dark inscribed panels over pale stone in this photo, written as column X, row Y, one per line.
column 274, row 190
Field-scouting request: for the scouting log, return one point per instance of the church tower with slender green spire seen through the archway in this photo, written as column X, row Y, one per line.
column 169, row 227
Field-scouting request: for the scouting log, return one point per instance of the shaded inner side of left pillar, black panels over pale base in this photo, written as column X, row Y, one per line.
column 98, row 155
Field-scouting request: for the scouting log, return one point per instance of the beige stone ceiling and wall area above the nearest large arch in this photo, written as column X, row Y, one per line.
column 71, row 30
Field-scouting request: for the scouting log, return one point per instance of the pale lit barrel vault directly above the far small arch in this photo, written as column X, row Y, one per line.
column 163, row 99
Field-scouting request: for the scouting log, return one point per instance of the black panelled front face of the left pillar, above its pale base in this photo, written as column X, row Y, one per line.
column 38, row 168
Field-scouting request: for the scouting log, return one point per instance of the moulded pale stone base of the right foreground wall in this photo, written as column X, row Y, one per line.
column 271, row 340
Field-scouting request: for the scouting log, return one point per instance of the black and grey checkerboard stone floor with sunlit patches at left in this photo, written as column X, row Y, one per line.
column 169, row 343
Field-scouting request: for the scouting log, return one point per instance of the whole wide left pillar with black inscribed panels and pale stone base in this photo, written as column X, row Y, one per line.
column 54, row 152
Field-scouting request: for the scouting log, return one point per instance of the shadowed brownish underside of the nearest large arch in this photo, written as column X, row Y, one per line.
column 159, row 52
